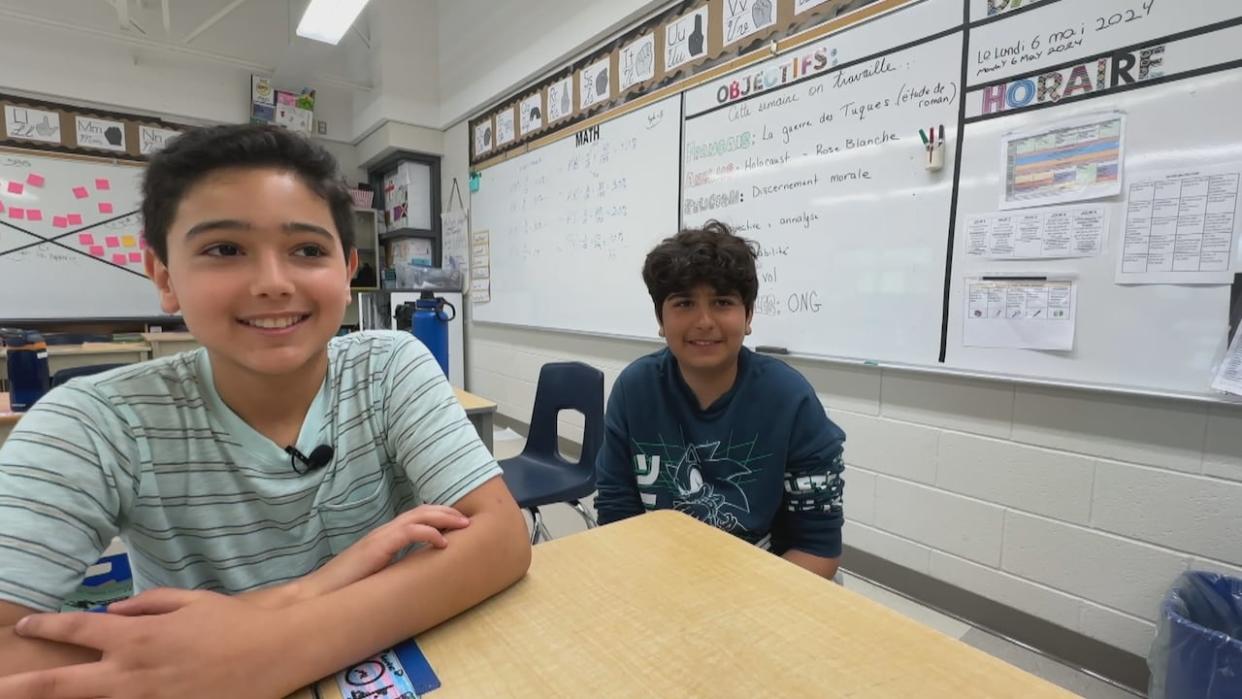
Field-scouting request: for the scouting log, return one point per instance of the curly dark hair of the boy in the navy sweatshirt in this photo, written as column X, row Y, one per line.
column 712, row 255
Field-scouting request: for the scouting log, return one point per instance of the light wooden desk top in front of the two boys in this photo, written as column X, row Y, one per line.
column 665, row 607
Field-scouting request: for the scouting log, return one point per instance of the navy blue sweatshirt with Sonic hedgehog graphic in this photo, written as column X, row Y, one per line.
column 763, row 462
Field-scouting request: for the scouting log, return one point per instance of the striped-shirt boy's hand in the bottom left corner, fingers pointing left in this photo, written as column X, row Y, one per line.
column 197, row 645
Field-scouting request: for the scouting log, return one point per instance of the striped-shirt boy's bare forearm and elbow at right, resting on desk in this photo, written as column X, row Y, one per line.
column 423, row 590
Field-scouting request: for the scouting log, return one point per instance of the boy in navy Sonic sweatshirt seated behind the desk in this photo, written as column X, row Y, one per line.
column 711, row 429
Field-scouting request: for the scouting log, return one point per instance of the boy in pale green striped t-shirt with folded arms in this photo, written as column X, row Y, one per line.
column 260, row 570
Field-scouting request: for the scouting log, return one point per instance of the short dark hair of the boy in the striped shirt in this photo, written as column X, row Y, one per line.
column 197, row 153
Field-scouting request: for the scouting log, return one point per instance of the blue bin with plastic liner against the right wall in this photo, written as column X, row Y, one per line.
column 1198, row 652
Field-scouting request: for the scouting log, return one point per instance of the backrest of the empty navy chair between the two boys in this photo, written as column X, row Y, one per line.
column 567, row 386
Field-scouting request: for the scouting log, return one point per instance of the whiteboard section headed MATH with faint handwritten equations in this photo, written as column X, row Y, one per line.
column 571, row 224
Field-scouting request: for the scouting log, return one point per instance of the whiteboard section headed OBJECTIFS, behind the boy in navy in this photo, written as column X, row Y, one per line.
column 829, row 178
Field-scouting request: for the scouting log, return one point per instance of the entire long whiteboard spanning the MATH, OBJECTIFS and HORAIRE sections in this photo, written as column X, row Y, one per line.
column 869, row 265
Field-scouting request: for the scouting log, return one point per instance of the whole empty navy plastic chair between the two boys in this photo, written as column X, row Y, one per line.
column 540, row 476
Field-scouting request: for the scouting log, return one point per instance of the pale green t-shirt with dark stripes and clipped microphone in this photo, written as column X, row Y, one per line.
column 151, row 454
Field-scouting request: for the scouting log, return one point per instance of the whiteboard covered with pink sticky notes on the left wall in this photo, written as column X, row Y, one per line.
column 70, row 240
